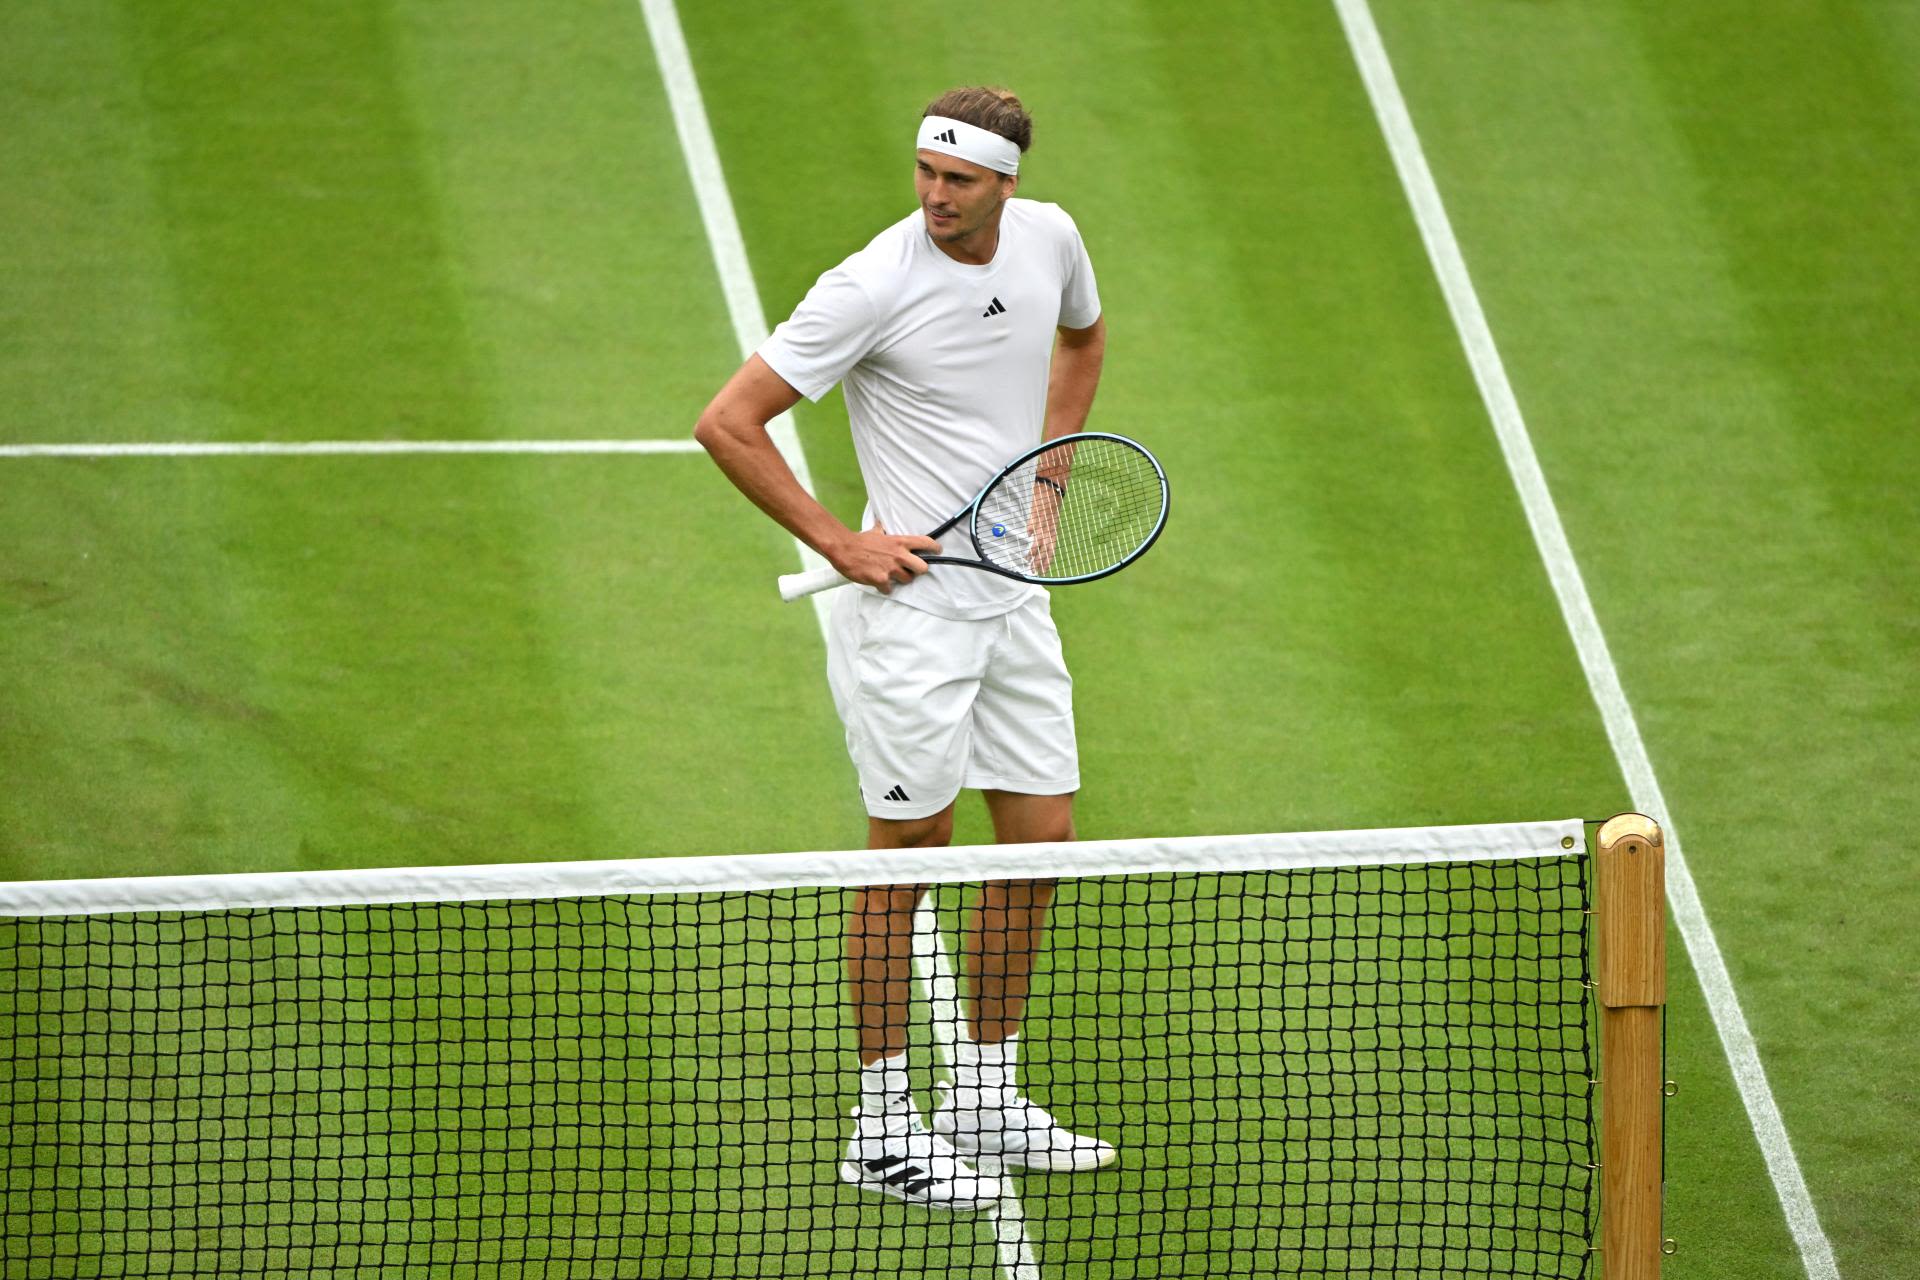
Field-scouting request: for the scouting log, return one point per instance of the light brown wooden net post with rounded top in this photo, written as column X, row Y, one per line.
column 1631, row 939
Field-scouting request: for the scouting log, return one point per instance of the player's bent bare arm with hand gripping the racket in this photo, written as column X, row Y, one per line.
column 734, row 435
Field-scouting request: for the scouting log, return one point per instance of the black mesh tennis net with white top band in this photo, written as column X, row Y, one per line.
column 1326, row 1055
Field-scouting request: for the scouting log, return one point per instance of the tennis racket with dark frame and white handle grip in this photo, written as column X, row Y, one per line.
column 1074, row 510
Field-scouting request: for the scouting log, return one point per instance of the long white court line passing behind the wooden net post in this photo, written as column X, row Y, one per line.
column 1742, row 1053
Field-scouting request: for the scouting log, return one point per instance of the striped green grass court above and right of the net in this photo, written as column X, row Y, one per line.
column 1694, row 233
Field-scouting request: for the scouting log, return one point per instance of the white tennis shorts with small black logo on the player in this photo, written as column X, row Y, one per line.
column 934, row 705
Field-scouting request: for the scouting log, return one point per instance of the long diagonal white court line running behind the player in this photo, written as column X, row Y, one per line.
column 750, row 331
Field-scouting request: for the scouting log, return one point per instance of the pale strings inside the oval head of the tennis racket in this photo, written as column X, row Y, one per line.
column 1074, row 511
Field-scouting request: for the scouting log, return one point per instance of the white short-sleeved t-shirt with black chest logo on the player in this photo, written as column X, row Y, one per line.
column 946, row 369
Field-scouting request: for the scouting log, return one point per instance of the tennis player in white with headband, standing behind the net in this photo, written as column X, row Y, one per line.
column 963, row 335
